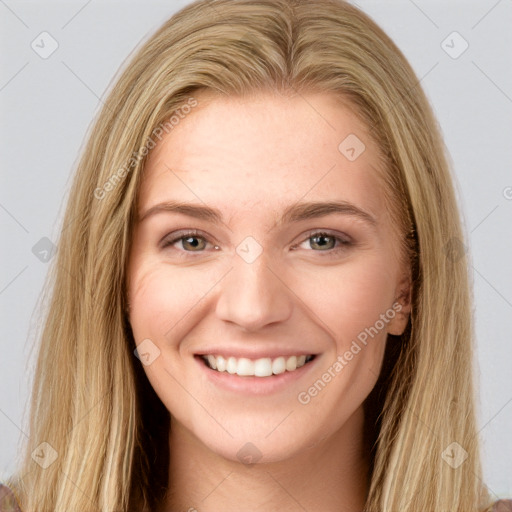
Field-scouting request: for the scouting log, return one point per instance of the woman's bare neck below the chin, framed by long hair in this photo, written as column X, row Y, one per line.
column 329, row 476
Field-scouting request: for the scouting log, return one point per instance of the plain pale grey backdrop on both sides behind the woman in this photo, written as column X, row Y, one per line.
column 461, row 53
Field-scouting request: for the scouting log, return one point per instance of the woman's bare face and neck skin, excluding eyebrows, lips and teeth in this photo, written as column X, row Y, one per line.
column 251, row 158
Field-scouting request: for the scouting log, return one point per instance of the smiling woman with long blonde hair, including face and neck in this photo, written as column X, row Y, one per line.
column 259, row 302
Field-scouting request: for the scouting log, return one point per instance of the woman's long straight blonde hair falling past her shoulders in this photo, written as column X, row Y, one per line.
column 91, row 400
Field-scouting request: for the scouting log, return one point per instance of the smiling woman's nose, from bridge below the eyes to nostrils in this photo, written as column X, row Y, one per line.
column 253, row 296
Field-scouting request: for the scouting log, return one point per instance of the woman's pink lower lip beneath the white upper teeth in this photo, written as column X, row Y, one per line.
column 252, row 384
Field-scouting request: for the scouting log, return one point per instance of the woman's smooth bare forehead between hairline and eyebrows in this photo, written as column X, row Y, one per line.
column 263, row 152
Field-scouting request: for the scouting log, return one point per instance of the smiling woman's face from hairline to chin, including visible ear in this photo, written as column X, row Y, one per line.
column 263, row 245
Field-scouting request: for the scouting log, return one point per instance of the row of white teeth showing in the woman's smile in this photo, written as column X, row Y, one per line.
column 264, row 367
